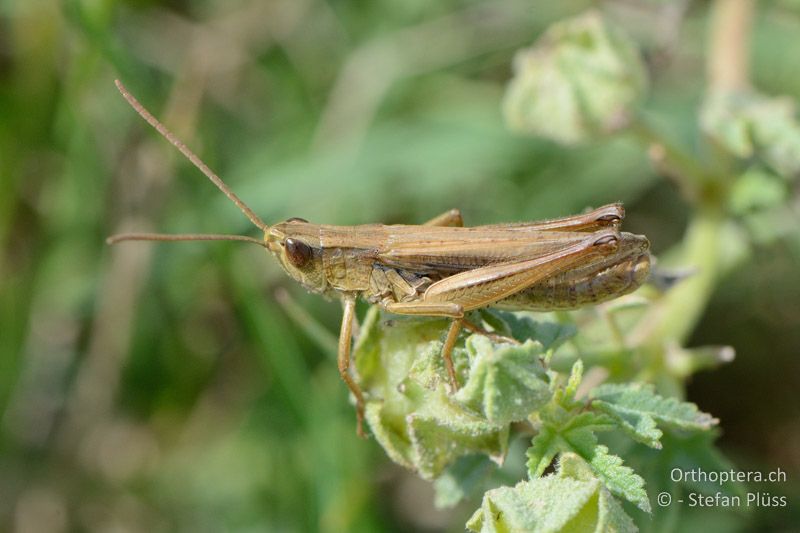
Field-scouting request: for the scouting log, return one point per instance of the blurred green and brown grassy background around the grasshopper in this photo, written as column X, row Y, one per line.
column 174, row 387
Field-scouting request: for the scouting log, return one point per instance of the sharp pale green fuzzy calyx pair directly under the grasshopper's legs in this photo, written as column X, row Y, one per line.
column 409, row 408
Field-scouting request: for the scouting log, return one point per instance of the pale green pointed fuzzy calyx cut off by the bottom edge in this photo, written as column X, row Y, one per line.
column 570, row 500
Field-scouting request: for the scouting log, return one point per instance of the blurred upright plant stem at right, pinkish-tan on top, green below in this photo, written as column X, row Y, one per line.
column 673, row 320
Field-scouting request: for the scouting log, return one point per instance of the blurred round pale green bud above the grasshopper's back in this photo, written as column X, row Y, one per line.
column 583, row 78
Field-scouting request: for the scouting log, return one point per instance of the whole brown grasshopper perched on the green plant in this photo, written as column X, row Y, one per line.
column 440, row 268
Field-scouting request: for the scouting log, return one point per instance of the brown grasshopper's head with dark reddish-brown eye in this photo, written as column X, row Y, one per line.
column 295, row 243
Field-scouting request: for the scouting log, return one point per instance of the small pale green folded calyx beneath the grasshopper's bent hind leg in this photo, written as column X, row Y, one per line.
column 506, row 382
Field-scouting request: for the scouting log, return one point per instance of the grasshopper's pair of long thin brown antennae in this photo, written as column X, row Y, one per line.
column 197, row 162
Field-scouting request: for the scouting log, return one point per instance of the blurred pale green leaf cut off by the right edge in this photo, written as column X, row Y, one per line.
column 754, row 125
